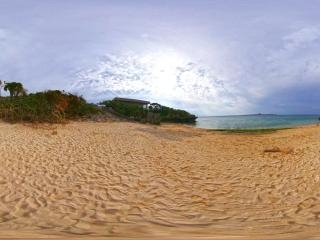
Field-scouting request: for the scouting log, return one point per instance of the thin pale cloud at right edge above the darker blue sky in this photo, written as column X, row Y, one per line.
column 294, row 61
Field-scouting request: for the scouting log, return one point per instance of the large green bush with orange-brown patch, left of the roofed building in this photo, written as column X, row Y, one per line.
column 49, row 106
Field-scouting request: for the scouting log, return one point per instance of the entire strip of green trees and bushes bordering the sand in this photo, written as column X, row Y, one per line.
column 56, row 106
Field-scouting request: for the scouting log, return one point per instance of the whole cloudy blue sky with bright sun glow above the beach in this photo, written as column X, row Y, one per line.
column 210, row 57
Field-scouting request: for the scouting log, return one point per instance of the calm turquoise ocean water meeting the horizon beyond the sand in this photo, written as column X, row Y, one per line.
column 256, row 121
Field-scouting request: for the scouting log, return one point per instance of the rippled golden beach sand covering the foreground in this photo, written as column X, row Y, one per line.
column 132, row 180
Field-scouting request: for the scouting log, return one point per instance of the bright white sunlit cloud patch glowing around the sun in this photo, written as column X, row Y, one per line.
column 165, row 77
